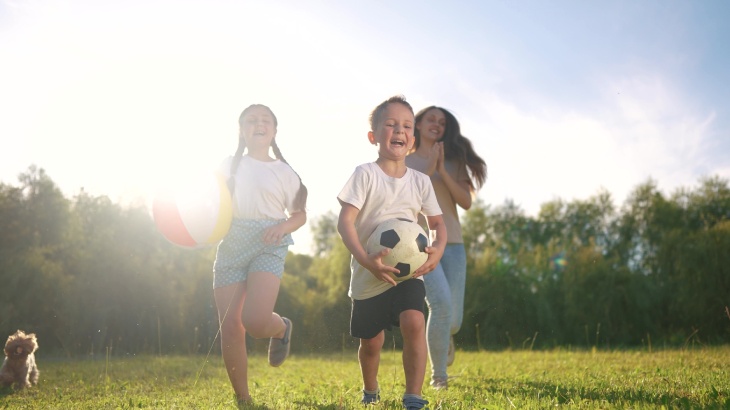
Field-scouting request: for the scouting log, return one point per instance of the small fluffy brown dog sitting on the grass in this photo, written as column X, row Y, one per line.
column 19, row 367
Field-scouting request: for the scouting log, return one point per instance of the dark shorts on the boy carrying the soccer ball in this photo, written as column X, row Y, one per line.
column 382, row 312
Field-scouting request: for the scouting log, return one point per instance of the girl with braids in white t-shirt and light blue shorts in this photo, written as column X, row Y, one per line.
column 269, row 204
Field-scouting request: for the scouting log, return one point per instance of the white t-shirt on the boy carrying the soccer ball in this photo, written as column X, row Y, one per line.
column 380, row 197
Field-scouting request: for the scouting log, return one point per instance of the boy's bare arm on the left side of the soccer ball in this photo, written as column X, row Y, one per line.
column 373, row 263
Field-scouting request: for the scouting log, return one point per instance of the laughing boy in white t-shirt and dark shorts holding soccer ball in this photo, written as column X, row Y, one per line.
column 376, row 192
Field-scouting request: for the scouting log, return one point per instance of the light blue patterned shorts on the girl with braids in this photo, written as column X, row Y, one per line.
column 242, row 251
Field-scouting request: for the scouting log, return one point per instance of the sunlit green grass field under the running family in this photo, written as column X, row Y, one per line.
column 692, row 378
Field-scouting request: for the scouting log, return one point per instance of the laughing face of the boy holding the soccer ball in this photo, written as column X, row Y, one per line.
column 394, row 134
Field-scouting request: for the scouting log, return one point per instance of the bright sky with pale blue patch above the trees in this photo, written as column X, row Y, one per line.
column 562, row 99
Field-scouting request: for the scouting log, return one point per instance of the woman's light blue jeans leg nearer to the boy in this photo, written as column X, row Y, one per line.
column 438, row 299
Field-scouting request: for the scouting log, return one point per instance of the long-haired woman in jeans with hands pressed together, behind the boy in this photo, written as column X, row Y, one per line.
column 456, row 172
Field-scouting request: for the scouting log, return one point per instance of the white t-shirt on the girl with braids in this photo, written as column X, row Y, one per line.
column 264, row 189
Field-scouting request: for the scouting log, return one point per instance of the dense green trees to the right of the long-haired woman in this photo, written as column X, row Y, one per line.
column 583, row 273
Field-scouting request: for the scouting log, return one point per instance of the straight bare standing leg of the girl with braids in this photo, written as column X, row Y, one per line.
column 229, row 301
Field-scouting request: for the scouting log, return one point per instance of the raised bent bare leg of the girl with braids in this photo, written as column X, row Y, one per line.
column 258, row 312
